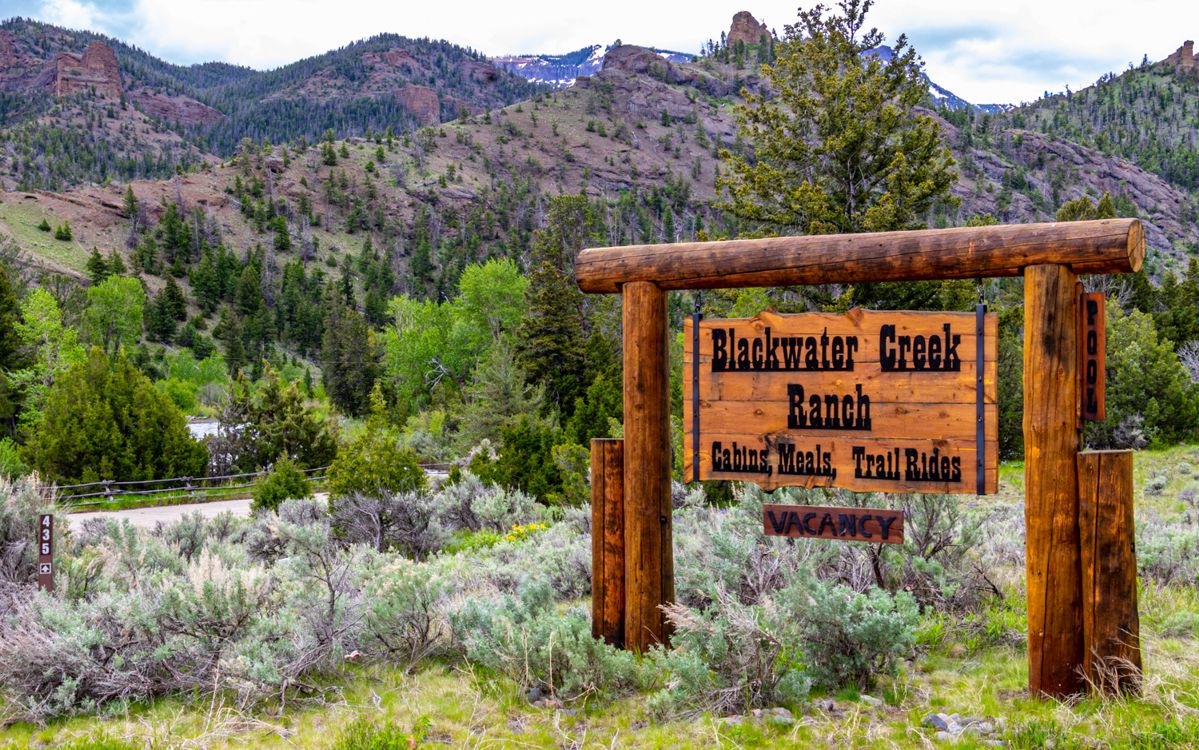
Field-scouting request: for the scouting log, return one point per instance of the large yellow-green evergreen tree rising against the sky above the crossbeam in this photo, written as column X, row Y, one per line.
column 838, row 141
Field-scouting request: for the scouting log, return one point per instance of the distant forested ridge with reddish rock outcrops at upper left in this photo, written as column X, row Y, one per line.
column 77, row 107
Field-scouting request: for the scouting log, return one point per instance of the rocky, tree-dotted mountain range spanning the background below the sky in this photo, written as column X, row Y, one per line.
column 443, row 156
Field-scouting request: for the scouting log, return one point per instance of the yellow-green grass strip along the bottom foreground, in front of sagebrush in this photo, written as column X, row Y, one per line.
column 462, row 707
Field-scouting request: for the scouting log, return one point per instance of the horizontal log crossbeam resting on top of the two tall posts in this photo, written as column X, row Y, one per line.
column 1105, row 246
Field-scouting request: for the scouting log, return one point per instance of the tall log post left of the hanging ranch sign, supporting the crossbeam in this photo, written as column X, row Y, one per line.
column 649, row 555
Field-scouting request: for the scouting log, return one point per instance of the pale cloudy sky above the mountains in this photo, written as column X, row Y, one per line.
column 1008, row 51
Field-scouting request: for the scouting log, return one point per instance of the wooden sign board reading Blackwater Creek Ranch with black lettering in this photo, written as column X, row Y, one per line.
column 869, row 402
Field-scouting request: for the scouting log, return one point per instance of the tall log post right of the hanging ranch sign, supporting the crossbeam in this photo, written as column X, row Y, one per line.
column 1051, row 512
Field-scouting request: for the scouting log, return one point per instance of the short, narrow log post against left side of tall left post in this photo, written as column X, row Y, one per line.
column 608, row 541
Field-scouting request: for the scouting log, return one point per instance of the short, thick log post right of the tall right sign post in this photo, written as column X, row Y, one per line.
column 1111, row 625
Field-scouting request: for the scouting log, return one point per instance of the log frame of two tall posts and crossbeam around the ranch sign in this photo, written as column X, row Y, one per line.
column 1049, row 256
